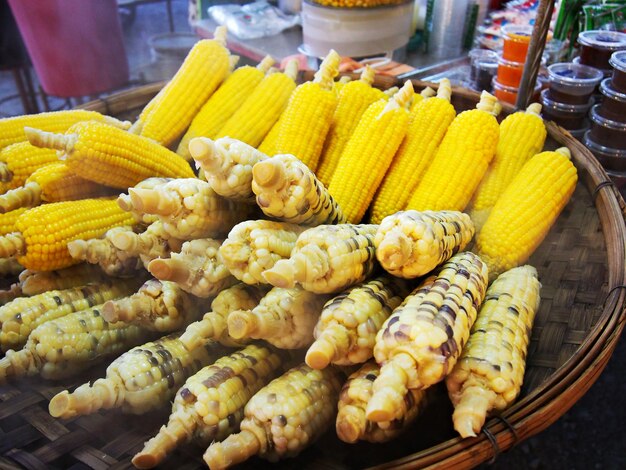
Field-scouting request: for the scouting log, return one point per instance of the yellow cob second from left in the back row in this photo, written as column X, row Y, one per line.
column 226, row 100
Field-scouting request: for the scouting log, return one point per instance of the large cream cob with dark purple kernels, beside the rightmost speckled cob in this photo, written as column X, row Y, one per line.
column 422, row 339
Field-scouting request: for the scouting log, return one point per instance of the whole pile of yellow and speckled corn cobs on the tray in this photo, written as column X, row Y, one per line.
column 272, row 285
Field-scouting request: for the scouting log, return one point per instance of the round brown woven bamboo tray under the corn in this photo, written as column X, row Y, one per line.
column 581, row 265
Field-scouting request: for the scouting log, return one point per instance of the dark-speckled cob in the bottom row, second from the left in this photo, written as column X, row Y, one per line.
column 210, row 405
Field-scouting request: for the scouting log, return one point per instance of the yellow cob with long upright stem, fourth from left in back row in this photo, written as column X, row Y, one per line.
column 308, row 115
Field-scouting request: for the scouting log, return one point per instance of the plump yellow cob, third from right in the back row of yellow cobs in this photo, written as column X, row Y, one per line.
column 461, row 159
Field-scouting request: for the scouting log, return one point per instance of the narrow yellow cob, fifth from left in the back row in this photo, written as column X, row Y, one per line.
column 353, row 100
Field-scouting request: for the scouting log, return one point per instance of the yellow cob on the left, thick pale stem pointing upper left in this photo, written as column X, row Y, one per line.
column 110, row 156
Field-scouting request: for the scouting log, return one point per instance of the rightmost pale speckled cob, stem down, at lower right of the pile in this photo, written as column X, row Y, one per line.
column 489, row 374
